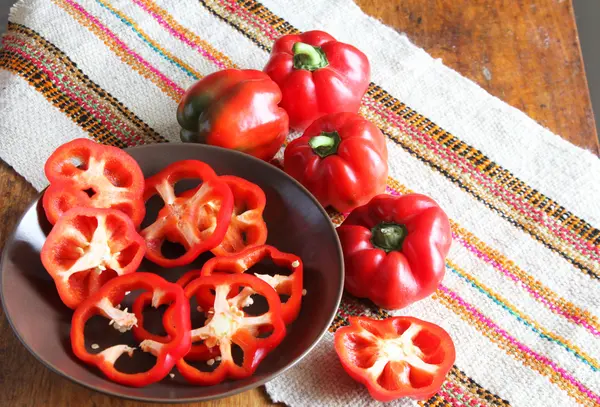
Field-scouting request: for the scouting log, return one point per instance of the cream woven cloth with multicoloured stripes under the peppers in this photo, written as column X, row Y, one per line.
column 521, row 295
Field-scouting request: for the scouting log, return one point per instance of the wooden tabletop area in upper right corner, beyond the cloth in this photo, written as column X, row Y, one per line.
column 524, row 52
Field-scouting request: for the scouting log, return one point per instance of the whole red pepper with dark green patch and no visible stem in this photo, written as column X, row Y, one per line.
column 235, row 109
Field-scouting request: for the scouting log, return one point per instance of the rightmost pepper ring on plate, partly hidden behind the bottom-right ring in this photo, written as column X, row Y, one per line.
column 284, row 285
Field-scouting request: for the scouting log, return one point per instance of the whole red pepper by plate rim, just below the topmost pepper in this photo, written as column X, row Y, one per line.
column 341, row 159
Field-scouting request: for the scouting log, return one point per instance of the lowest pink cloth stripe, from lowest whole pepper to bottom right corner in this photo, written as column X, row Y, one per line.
column 522, row 347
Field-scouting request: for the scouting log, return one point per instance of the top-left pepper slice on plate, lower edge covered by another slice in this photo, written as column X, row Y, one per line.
column 83, row 173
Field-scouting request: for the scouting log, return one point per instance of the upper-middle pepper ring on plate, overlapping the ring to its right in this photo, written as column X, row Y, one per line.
column 183, row 219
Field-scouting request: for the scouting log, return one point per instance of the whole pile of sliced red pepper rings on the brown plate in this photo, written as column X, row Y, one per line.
column 96, row 201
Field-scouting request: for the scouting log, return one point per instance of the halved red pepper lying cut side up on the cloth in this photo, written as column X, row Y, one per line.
column 396, row 357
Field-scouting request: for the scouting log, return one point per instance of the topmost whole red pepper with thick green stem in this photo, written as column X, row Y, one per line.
column 317, row 75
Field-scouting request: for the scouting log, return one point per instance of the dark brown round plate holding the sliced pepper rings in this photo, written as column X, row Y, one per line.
column 296, row 222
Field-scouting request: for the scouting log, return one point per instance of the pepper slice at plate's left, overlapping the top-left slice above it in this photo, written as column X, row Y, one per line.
column 86, row 248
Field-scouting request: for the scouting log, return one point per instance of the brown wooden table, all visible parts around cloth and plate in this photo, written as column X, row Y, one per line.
column 526, row 53
